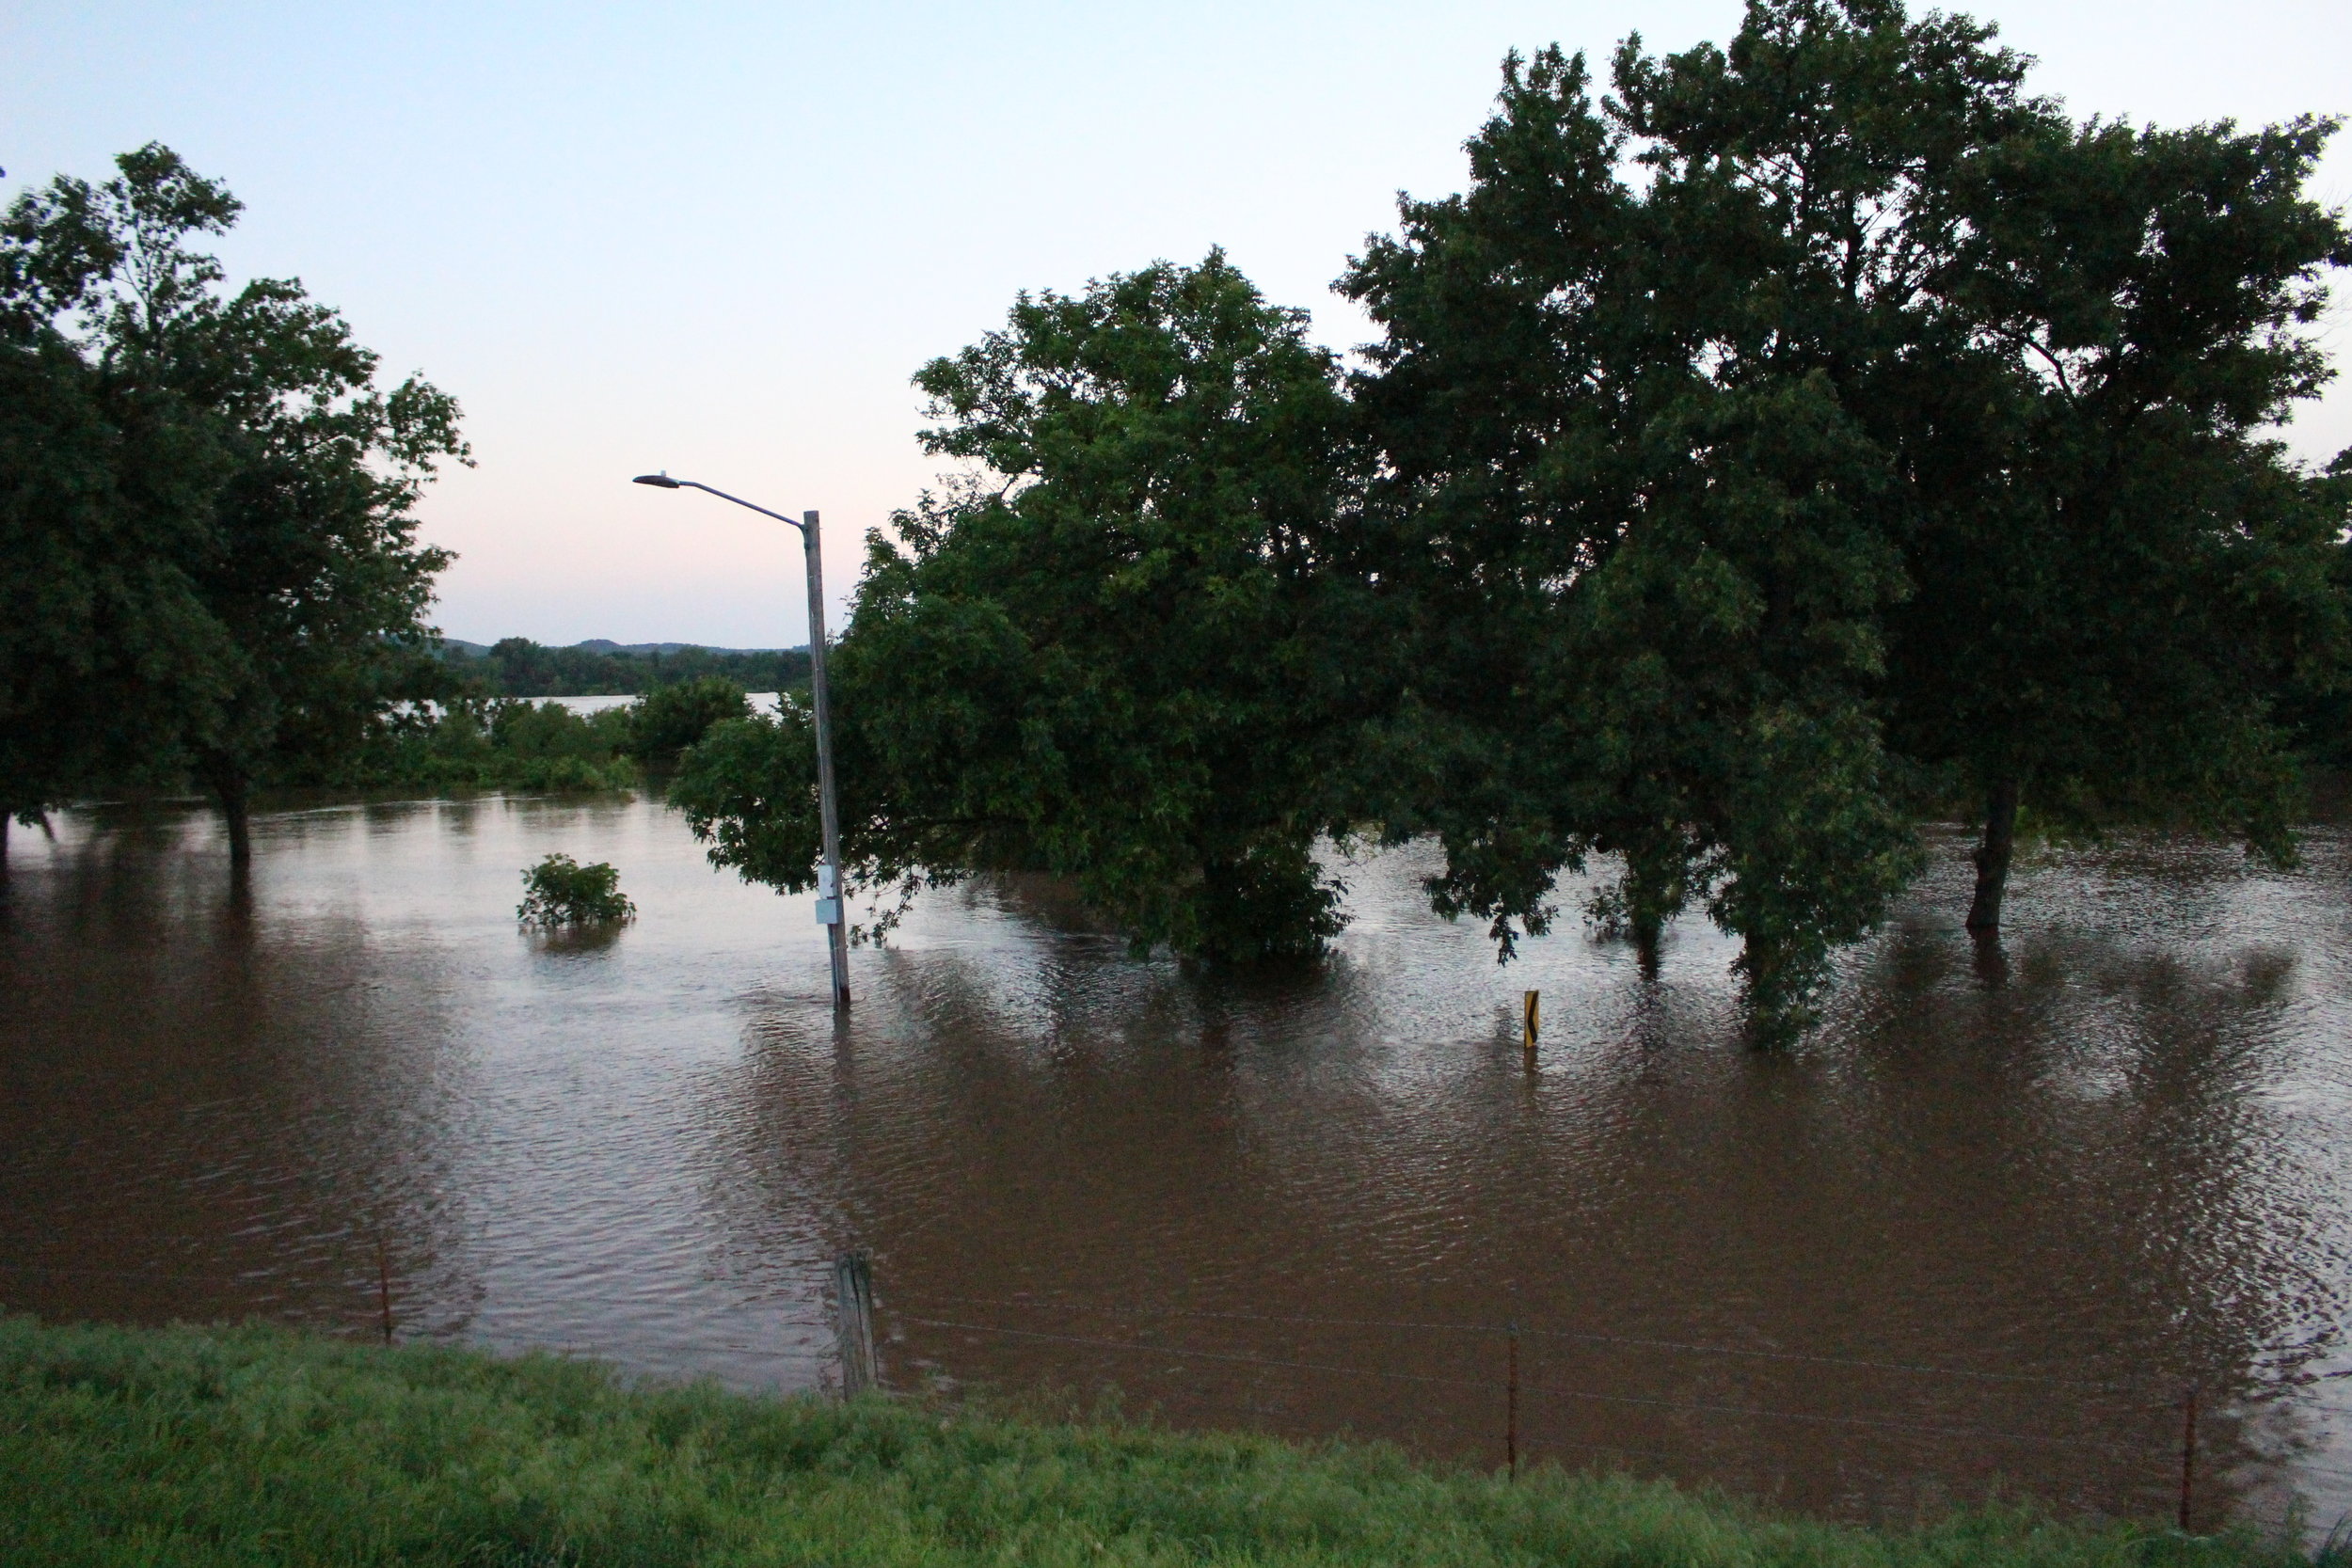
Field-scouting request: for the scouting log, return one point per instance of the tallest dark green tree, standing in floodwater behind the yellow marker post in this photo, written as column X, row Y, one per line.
column 1631, row 471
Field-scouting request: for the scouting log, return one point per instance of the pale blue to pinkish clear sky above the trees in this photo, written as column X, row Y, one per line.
column 721, row 239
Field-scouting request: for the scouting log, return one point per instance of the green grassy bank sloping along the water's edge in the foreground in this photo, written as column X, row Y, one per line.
column 260, row 1447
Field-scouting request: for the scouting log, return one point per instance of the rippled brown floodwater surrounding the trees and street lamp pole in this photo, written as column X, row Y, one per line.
column 1979, row 1233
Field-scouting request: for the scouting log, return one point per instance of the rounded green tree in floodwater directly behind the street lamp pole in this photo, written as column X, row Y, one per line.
column 1128, row 648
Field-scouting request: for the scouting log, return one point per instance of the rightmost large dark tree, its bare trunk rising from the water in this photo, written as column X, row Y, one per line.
column 2118, row 565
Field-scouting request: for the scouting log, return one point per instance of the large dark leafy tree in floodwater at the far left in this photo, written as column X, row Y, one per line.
column 232, row 525
